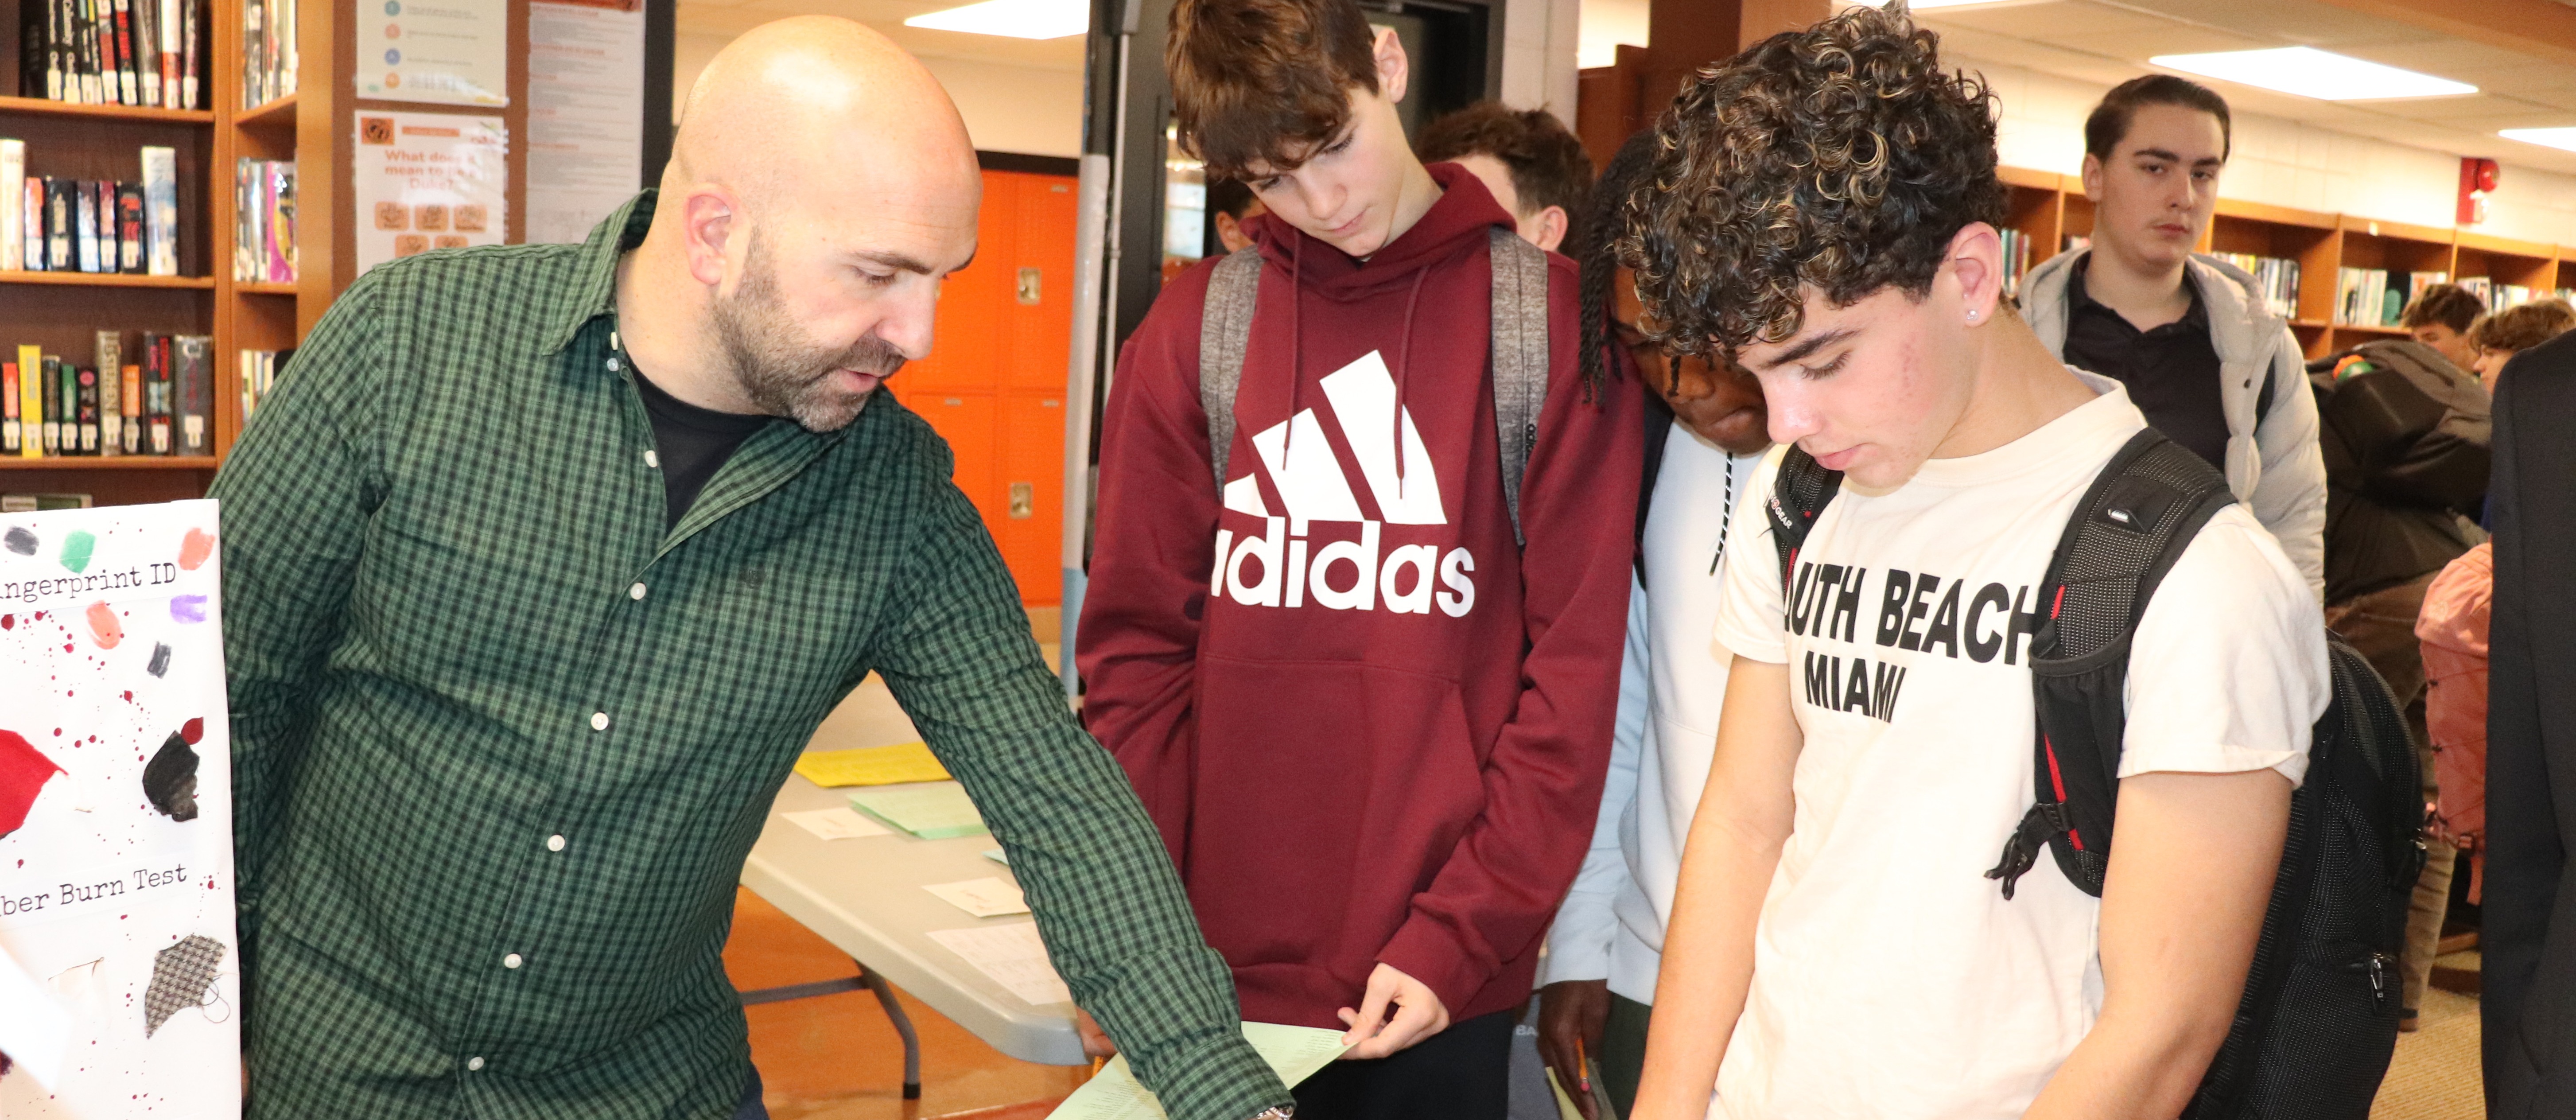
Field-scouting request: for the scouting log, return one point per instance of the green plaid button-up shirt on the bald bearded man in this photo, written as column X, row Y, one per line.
column 504, row 743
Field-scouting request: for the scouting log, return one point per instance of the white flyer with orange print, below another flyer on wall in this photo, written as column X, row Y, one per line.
column 429, row 182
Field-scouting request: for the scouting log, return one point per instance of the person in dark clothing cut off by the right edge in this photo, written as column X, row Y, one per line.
column 2528, row 1008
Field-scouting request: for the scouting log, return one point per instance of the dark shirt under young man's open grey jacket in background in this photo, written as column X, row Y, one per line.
column 2170, row 372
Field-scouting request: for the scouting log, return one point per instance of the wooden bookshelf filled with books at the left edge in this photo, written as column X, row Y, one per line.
column 66, row 310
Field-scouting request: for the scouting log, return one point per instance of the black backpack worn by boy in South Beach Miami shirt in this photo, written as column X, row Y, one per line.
column 2320, row 1013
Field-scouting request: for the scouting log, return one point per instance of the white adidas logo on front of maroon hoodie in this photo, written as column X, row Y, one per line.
column 1274, row 570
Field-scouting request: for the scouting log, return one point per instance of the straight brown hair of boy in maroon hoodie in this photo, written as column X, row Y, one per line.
column 1266, row 81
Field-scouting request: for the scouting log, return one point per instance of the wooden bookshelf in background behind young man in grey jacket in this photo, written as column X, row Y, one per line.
column 2052, row 207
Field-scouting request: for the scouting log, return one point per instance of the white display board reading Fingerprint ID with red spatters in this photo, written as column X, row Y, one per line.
column 117, row 815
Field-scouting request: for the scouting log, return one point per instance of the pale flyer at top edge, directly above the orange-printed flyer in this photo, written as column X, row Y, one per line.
column 450, row 53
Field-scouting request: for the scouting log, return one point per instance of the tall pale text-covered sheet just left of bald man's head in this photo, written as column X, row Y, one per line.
column 586, row 120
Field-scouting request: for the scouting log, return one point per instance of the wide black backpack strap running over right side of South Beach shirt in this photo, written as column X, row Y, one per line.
column 2126, row 534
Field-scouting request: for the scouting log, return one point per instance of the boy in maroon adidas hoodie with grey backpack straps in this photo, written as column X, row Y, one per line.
column 1374, row 733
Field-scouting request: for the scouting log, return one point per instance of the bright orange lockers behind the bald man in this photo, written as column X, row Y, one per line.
column 996, row 375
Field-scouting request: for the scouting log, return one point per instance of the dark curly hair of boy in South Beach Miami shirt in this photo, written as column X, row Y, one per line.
column 1841, row 158
